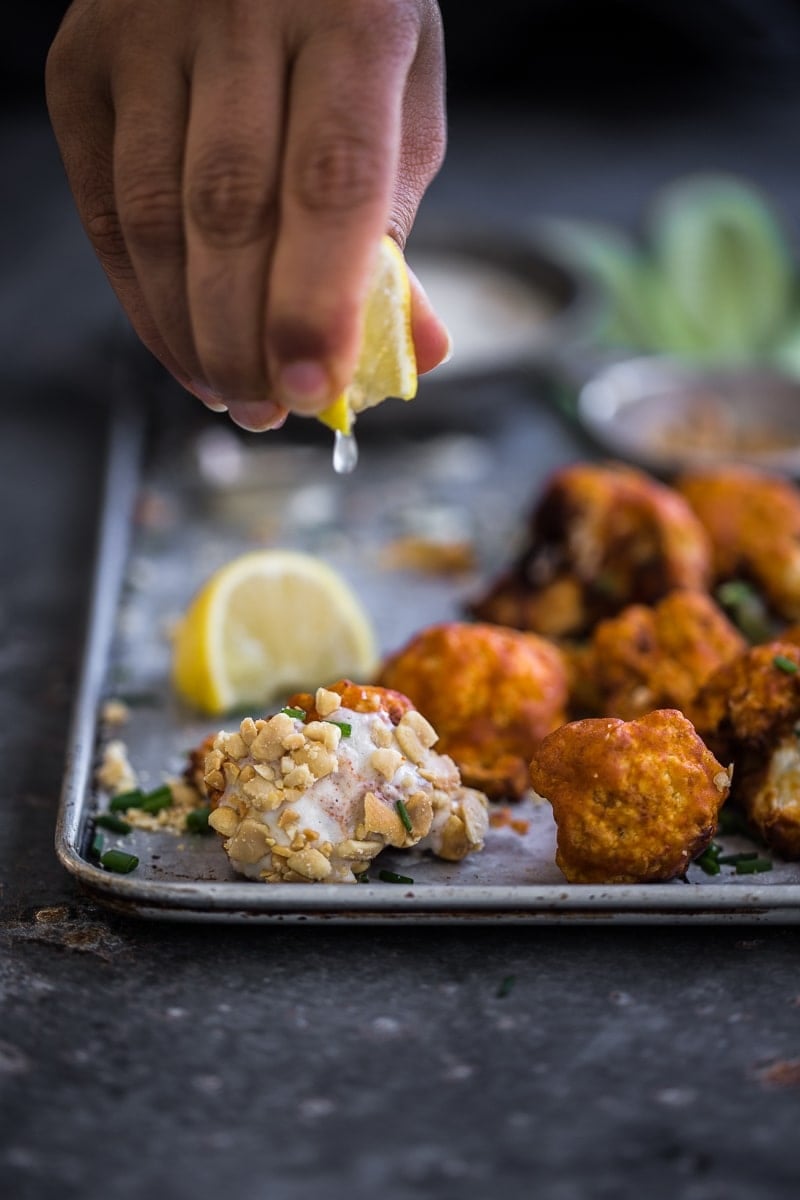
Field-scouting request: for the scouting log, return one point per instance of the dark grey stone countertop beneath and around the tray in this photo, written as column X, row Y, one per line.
column 199, row 1061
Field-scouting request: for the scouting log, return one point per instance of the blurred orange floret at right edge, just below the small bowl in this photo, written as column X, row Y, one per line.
column 754, row 524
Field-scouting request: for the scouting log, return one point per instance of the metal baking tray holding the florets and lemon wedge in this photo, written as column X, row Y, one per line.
column 187, row 496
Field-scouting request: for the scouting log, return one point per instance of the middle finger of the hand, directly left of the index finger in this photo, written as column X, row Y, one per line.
column 232, row 163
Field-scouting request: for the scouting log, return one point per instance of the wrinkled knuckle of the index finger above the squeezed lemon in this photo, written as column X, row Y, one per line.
column 339, row 171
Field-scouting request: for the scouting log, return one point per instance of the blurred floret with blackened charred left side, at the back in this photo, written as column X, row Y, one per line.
column 601, row 538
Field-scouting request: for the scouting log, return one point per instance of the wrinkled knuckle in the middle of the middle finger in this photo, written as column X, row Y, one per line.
column 230, row 199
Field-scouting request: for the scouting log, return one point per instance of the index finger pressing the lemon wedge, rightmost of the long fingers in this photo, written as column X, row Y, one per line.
column 342, row 151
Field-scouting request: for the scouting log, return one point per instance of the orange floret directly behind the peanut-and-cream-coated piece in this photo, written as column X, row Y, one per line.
column 494, row 694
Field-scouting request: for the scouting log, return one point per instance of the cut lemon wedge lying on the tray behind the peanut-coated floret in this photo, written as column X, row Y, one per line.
column 267, row 623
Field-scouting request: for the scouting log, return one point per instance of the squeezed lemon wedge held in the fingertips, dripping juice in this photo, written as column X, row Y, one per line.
column 387, row 364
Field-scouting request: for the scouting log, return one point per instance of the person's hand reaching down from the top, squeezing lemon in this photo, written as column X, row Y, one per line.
column 236, row 165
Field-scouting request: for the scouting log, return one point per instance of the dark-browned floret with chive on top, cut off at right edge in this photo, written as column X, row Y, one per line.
column 750, row 710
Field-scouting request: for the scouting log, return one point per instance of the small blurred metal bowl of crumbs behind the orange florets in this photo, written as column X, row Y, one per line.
column 667, row 417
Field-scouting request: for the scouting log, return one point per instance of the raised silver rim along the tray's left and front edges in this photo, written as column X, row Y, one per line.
column 246, row 902
